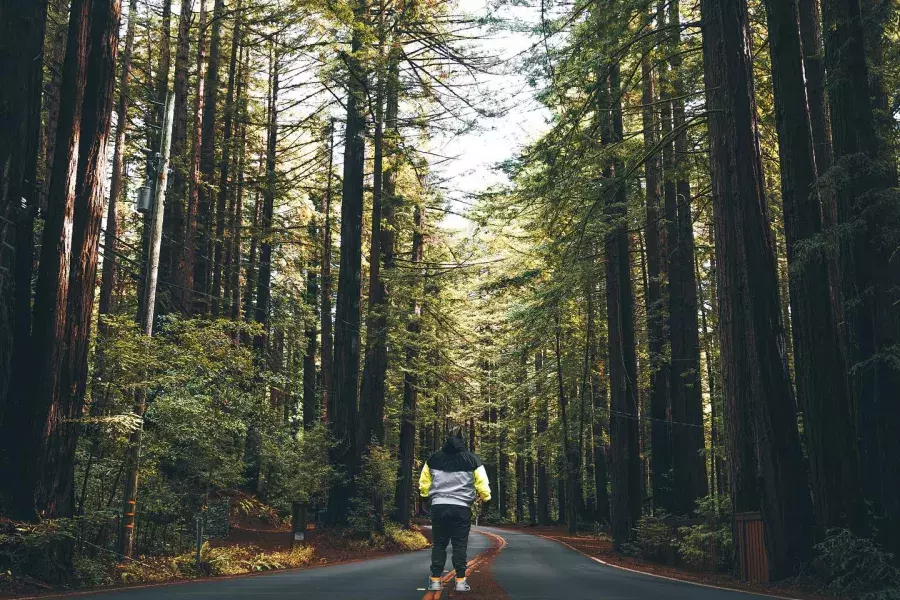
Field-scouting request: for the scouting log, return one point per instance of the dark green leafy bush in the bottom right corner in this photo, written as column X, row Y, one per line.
column 856, row 566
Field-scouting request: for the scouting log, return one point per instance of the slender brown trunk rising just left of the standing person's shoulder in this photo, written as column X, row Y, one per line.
column 410, row 382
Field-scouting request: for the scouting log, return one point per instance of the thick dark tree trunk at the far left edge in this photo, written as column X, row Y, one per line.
column 22, row 27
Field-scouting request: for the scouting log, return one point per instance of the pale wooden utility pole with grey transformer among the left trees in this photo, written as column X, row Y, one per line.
column 129, row 504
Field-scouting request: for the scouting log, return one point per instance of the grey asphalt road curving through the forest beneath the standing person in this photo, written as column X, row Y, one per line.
column 528, row 568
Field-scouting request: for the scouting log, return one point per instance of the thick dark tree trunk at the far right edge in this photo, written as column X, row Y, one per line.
column 869, row 269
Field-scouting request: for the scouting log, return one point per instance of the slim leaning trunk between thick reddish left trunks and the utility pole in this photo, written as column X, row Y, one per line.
column 116, row 188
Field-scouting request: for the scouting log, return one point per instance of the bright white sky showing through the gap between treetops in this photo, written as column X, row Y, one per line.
column 478, row 153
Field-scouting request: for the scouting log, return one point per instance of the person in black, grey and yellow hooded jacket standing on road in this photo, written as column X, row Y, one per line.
column 450, row 482
